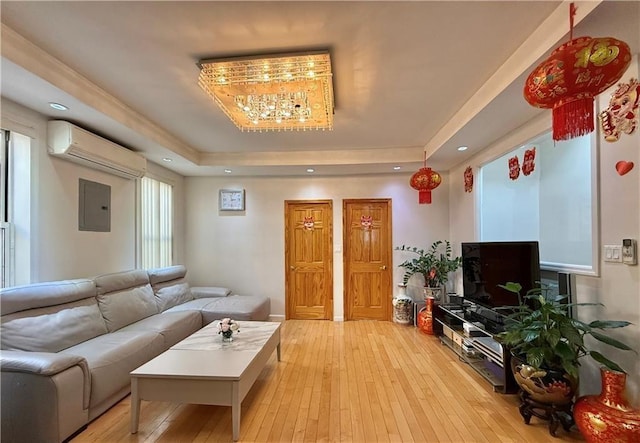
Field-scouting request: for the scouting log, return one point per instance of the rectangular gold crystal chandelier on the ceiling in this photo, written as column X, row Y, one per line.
column 281, row 92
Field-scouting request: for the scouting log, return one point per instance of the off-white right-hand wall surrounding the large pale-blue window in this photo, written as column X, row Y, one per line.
column 618, row 286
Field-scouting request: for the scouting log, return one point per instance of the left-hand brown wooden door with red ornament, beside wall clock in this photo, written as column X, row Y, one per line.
column 309, row 260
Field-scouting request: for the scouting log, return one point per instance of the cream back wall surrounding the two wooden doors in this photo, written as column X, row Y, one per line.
column 245, row 251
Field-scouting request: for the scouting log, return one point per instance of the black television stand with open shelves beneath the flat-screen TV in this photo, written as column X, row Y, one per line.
column 468, row 331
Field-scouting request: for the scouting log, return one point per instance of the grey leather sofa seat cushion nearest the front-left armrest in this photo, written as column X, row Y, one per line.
column 111, row 357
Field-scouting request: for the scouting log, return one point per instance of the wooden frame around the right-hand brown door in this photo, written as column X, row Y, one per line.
column 345, row 274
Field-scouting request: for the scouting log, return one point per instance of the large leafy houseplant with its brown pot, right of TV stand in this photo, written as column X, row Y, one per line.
column 546, row 344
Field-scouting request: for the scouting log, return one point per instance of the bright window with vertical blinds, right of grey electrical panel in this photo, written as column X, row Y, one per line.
column 156, row 217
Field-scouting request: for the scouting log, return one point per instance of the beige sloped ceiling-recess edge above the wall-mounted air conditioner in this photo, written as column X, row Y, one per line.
column 34, row 59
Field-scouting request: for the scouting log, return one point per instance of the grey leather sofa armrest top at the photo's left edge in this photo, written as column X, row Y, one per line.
column 46, row 364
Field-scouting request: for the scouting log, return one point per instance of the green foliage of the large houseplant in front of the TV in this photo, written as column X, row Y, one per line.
column 548, row 337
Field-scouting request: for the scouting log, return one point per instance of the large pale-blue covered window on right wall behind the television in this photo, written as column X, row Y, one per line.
column 555, row 204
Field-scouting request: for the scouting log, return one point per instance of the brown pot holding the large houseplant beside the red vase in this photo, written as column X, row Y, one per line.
column 544, row 385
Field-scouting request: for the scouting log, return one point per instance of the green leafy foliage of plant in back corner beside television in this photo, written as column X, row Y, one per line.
column 434, row 264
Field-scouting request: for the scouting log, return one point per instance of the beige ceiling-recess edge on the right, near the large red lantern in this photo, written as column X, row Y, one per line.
column 548, row 34
